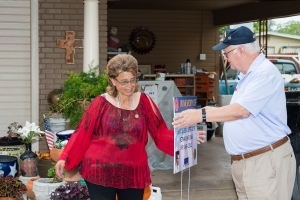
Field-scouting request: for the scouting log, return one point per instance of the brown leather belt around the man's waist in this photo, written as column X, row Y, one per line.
column 260, row 151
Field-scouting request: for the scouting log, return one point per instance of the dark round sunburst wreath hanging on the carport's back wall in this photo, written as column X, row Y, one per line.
column 142, row 40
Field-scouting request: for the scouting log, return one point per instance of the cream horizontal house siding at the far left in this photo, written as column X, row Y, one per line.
column 15, row 65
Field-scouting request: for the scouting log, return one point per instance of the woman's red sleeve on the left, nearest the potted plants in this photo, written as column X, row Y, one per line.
column 81, row 138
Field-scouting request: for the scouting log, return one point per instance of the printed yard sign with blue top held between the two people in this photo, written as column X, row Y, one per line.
column 185, row 139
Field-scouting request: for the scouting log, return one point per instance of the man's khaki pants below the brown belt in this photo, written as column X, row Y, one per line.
column 269, row 176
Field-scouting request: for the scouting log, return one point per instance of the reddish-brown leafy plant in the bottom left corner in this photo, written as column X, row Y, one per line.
column 11, row 187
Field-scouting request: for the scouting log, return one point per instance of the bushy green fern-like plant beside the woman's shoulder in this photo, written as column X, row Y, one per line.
column 78, row 90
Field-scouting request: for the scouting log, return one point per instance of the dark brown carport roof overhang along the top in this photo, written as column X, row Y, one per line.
column 224, row 11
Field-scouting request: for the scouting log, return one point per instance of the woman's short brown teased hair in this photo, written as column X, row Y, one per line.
column 118, row 64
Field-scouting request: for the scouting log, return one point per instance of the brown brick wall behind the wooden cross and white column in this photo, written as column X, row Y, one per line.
column 55, row 18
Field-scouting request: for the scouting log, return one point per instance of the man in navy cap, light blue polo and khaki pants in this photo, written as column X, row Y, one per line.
column 255, row 129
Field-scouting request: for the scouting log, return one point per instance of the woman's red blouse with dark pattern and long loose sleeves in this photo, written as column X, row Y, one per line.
column 110, row 142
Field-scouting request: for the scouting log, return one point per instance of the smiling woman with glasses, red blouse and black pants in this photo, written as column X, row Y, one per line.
column 111, row 138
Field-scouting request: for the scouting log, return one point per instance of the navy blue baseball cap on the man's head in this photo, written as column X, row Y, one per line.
column 240, row 35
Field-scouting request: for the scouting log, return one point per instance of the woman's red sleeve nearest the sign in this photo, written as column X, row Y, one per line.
column 162, row 136
